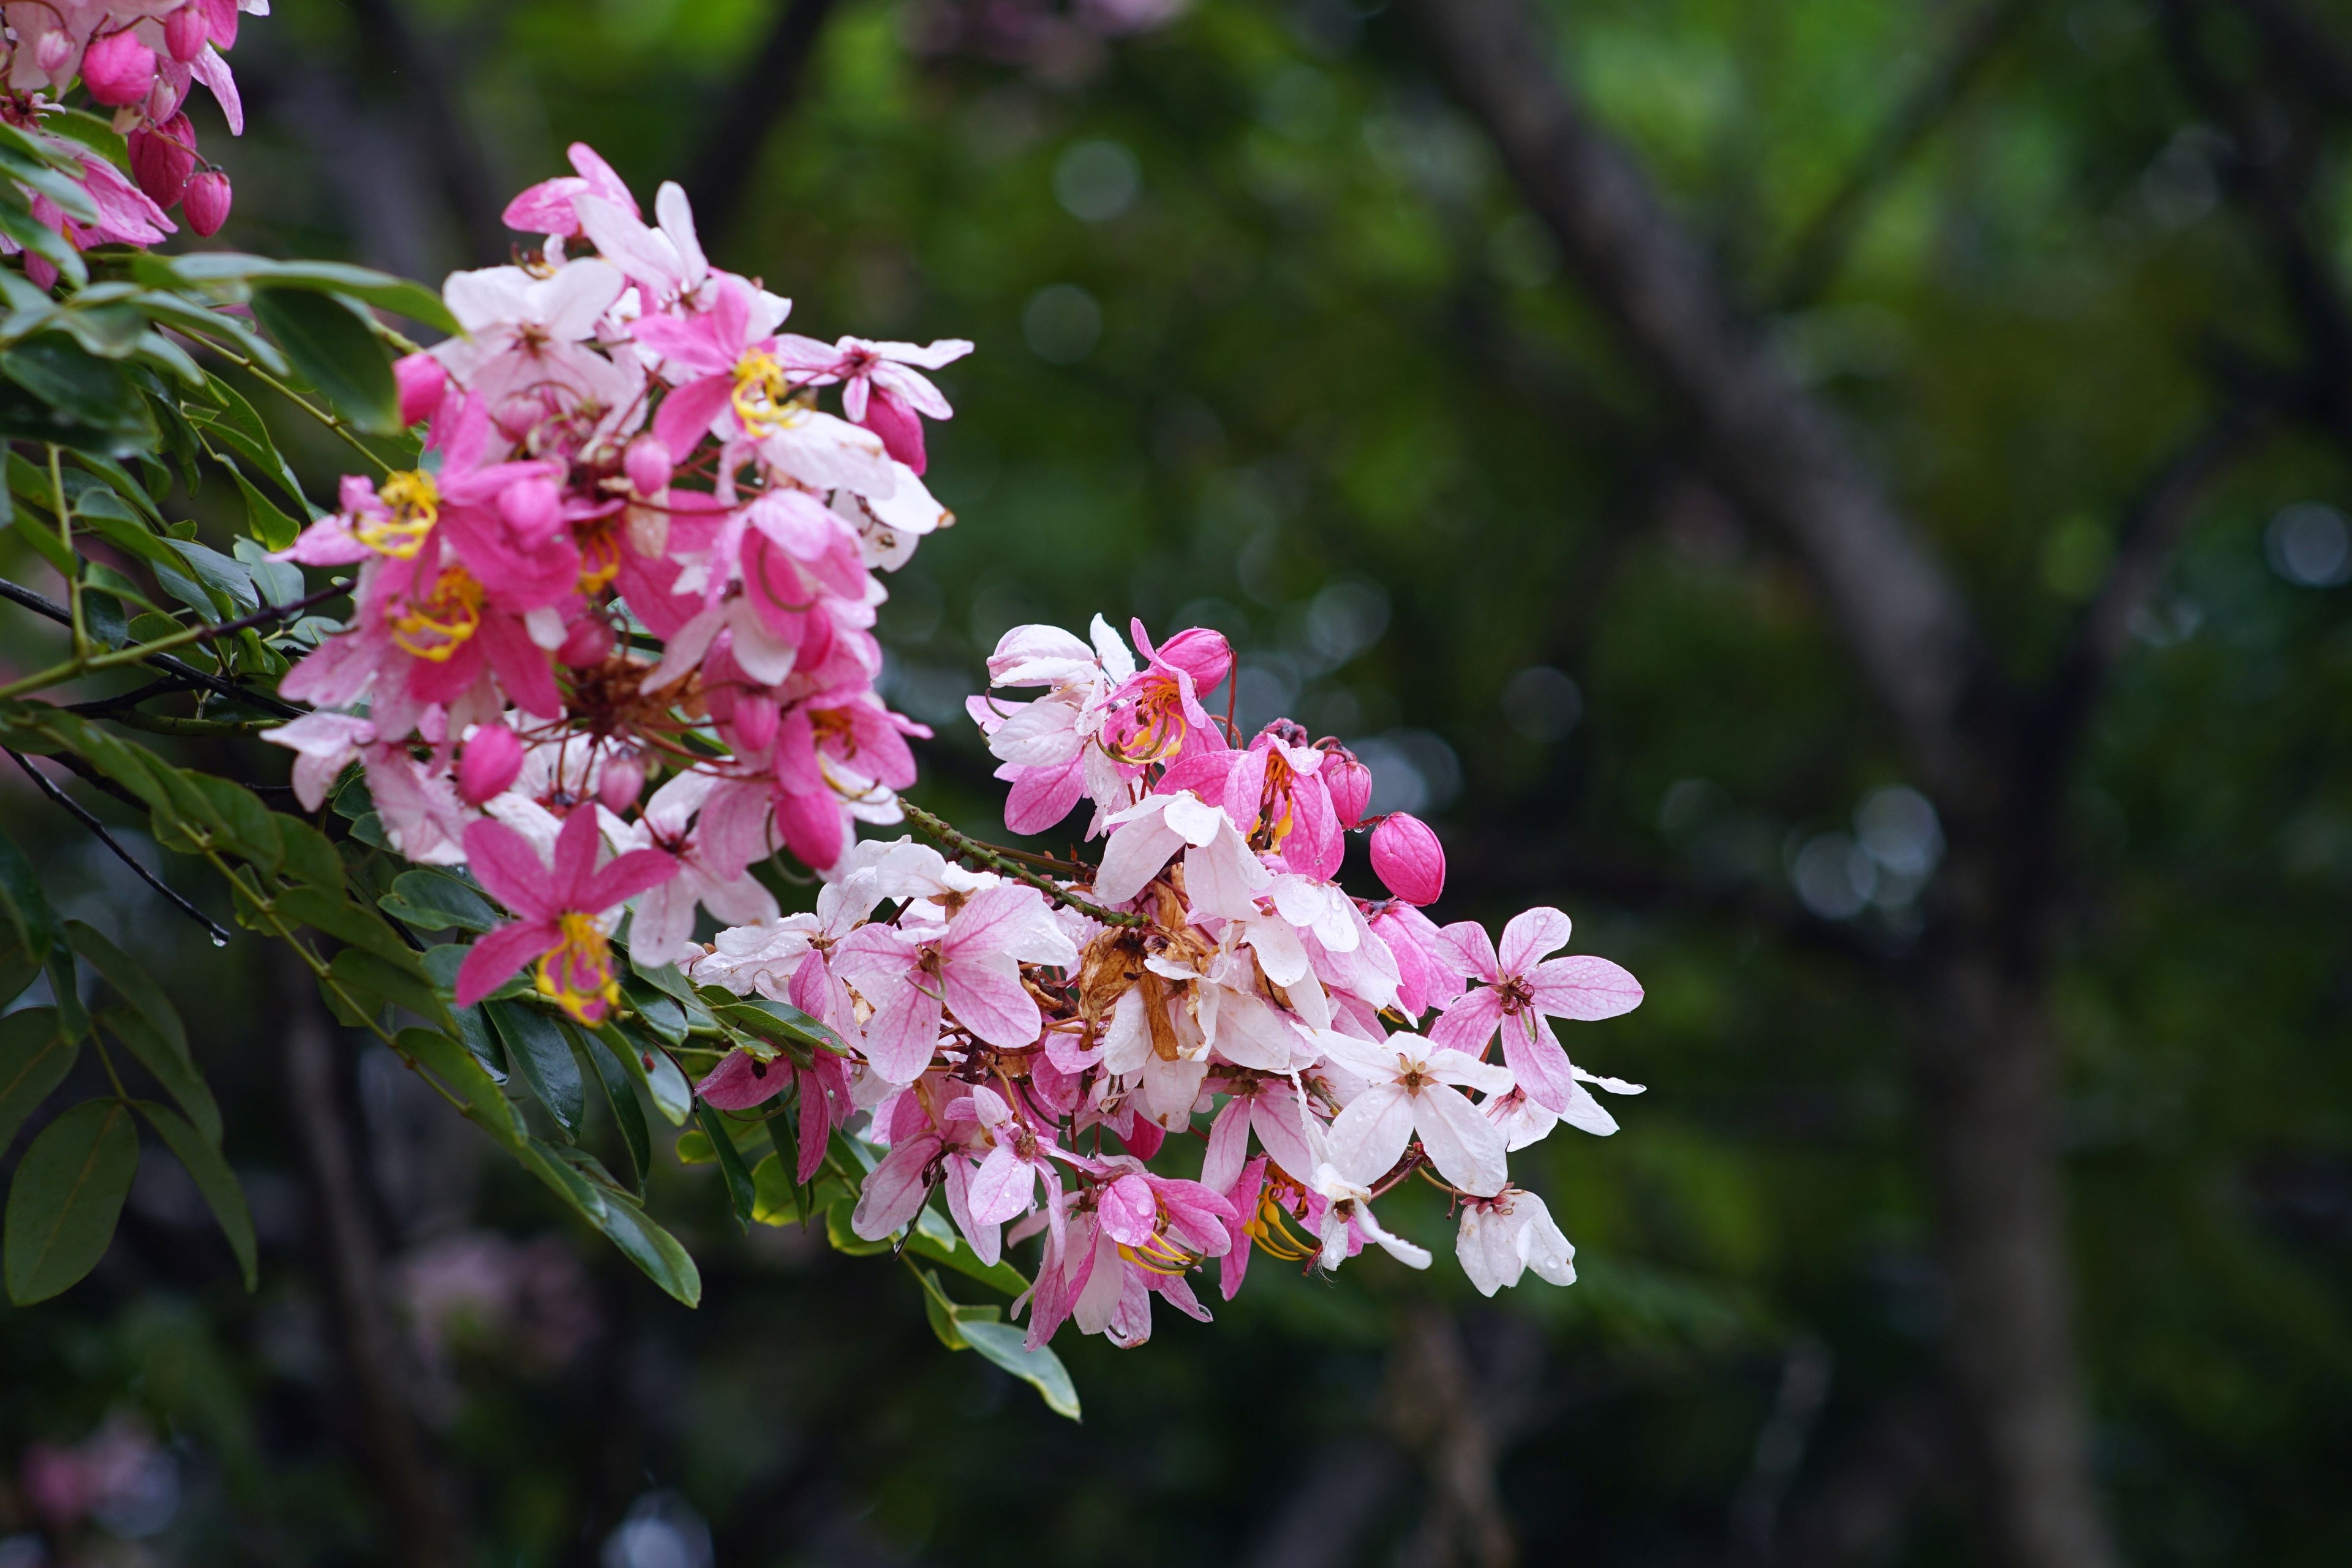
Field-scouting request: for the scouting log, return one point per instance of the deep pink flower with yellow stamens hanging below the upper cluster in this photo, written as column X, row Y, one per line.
column 561, row 911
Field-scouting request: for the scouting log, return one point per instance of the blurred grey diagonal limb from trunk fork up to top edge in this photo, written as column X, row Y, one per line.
column 1775, row 448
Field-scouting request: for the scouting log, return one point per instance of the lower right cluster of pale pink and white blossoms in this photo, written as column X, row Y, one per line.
column 1208, row 979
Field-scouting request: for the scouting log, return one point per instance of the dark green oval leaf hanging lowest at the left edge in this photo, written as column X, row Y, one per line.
column 67, row 1198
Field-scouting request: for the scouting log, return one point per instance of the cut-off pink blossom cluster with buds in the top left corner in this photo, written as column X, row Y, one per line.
column 138, row 60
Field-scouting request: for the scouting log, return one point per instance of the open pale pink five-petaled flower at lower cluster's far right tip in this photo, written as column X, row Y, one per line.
column 1521, row 993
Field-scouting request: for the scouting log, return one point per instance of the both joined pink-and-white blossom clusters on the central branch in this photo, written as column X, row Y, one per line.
column 613, row 645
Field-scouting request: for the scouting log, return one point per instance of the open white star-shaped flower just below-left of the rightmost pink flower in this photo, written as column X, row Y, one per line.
column 1410, row 1092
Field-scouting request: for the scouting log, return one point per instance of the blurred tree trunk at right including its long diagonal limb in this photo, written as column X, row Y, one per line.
column 1986, row 1059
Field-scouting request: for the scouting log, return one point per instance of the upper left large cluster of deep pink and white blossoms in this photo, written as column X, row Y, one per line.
column 639, row 556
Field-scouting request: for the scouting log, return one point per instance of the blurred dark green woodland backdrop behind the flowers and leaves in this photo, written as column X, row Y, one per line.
column 1993, row 1193
